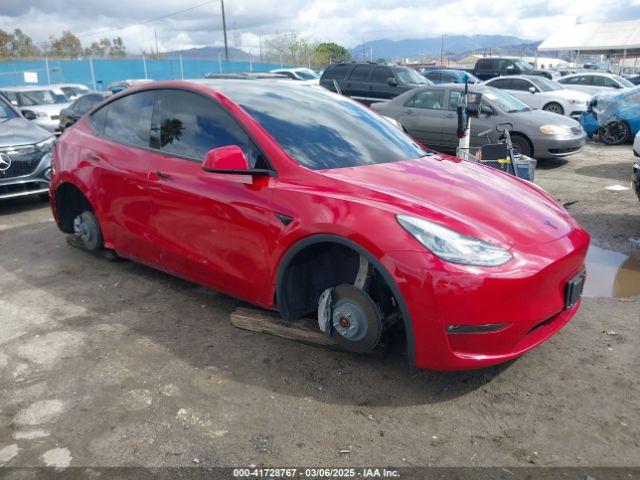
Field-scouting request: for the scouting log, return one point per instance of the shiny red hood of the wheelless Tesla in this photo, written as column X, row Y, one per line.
column 467, row 197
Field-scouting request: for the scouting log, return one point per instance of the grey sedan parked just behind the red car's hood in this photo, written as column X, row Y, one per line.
column 429, row 115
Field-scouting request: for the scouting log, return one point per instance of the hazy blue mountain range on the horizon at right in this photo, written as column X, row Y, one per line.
column 454, row 45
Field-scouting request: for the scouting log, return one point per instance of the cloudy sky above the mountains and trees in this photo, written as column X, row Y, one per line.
column 348, row 22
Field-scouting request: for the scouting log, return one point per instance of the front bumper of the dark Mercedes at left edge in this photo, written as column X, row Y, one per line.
column 28, row 180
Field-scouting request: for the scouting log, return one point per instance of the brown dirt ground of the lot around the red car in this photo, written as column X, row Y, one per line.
column 110, row 364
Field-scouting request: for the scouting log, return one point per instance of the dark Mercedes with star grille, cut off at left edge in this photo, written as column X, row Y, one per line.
column 25, row 160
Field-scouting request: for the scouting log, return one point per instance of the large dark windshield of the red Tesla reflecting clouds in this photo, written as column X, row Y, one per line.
column 322, row 130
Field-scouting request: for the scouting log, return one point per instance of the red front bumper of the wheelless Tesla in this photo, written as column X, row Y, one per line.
column 527, row 293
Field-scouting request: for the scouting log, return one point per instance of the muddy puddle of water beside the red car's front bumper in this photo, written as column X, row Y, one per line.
column 611, row 274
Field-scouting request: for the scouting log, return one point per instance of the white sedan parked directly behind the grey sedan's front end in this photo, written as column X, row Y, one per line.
column 542, row 93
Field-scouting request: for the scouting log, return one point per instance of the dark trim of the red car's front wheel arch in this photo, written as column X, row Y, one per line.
column 312, row 240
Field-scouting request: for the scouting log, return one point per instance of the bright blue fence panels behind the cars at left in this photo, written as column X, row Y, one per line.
column 107, row 71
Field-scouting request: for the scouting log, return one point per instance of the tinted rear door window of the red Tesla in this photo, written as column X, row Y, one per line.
column 129, row 119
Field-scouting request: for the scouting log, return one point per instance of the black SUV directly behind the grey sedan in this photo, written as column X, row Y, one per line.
column 369, row 82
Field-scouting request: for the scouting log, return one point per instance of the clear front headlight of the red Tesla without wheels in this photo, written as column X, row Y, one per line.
column 453, row 246
